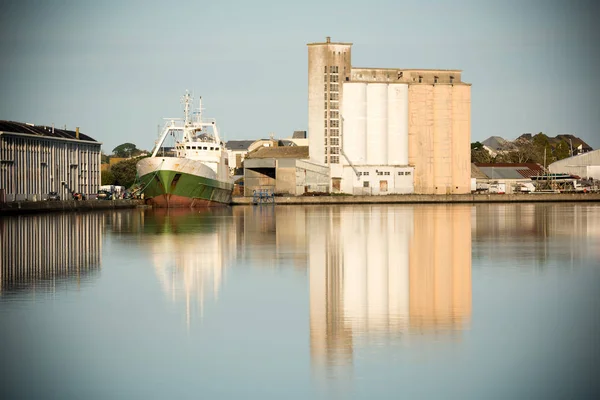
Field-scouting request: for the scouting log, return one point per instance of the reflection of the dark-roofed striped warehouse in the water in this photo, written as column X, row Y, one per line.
column 43, row 252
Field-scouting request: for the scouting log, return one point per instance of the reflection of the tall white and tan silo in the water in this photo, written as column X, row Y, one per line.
column 379, row 272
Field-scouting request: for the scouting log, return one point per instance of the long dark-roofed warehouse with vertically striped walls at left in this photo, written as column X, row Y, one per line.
column 37, row 160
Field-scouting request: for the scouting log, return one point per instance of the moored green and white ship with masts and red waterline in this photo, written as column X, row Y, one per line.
column 194, row 172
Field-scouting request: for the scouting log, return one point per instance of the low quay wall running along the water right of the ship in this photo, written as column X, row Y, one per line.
column 430, row 198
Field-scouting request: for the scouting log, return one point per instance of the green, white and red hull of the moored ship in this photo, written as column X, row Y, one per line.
column 169, row 182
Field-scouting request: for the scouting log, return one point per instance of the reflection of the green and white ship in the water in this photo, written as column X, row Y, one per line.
column 191, row 250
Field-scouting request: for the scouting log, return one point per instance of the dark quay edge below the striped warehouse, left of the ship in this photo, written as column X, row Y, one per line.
column 23, row 207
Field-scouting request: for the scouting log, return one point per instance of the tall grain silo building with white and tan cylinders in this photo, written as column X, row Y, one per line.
column 387, row 130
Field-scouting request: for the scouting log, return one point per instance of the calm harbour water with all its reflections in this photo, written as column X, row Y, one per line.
column 382, row 301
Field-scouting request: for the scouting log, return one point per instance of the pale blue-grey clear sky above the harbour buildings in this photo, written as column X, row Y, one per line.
column 117, row 68
